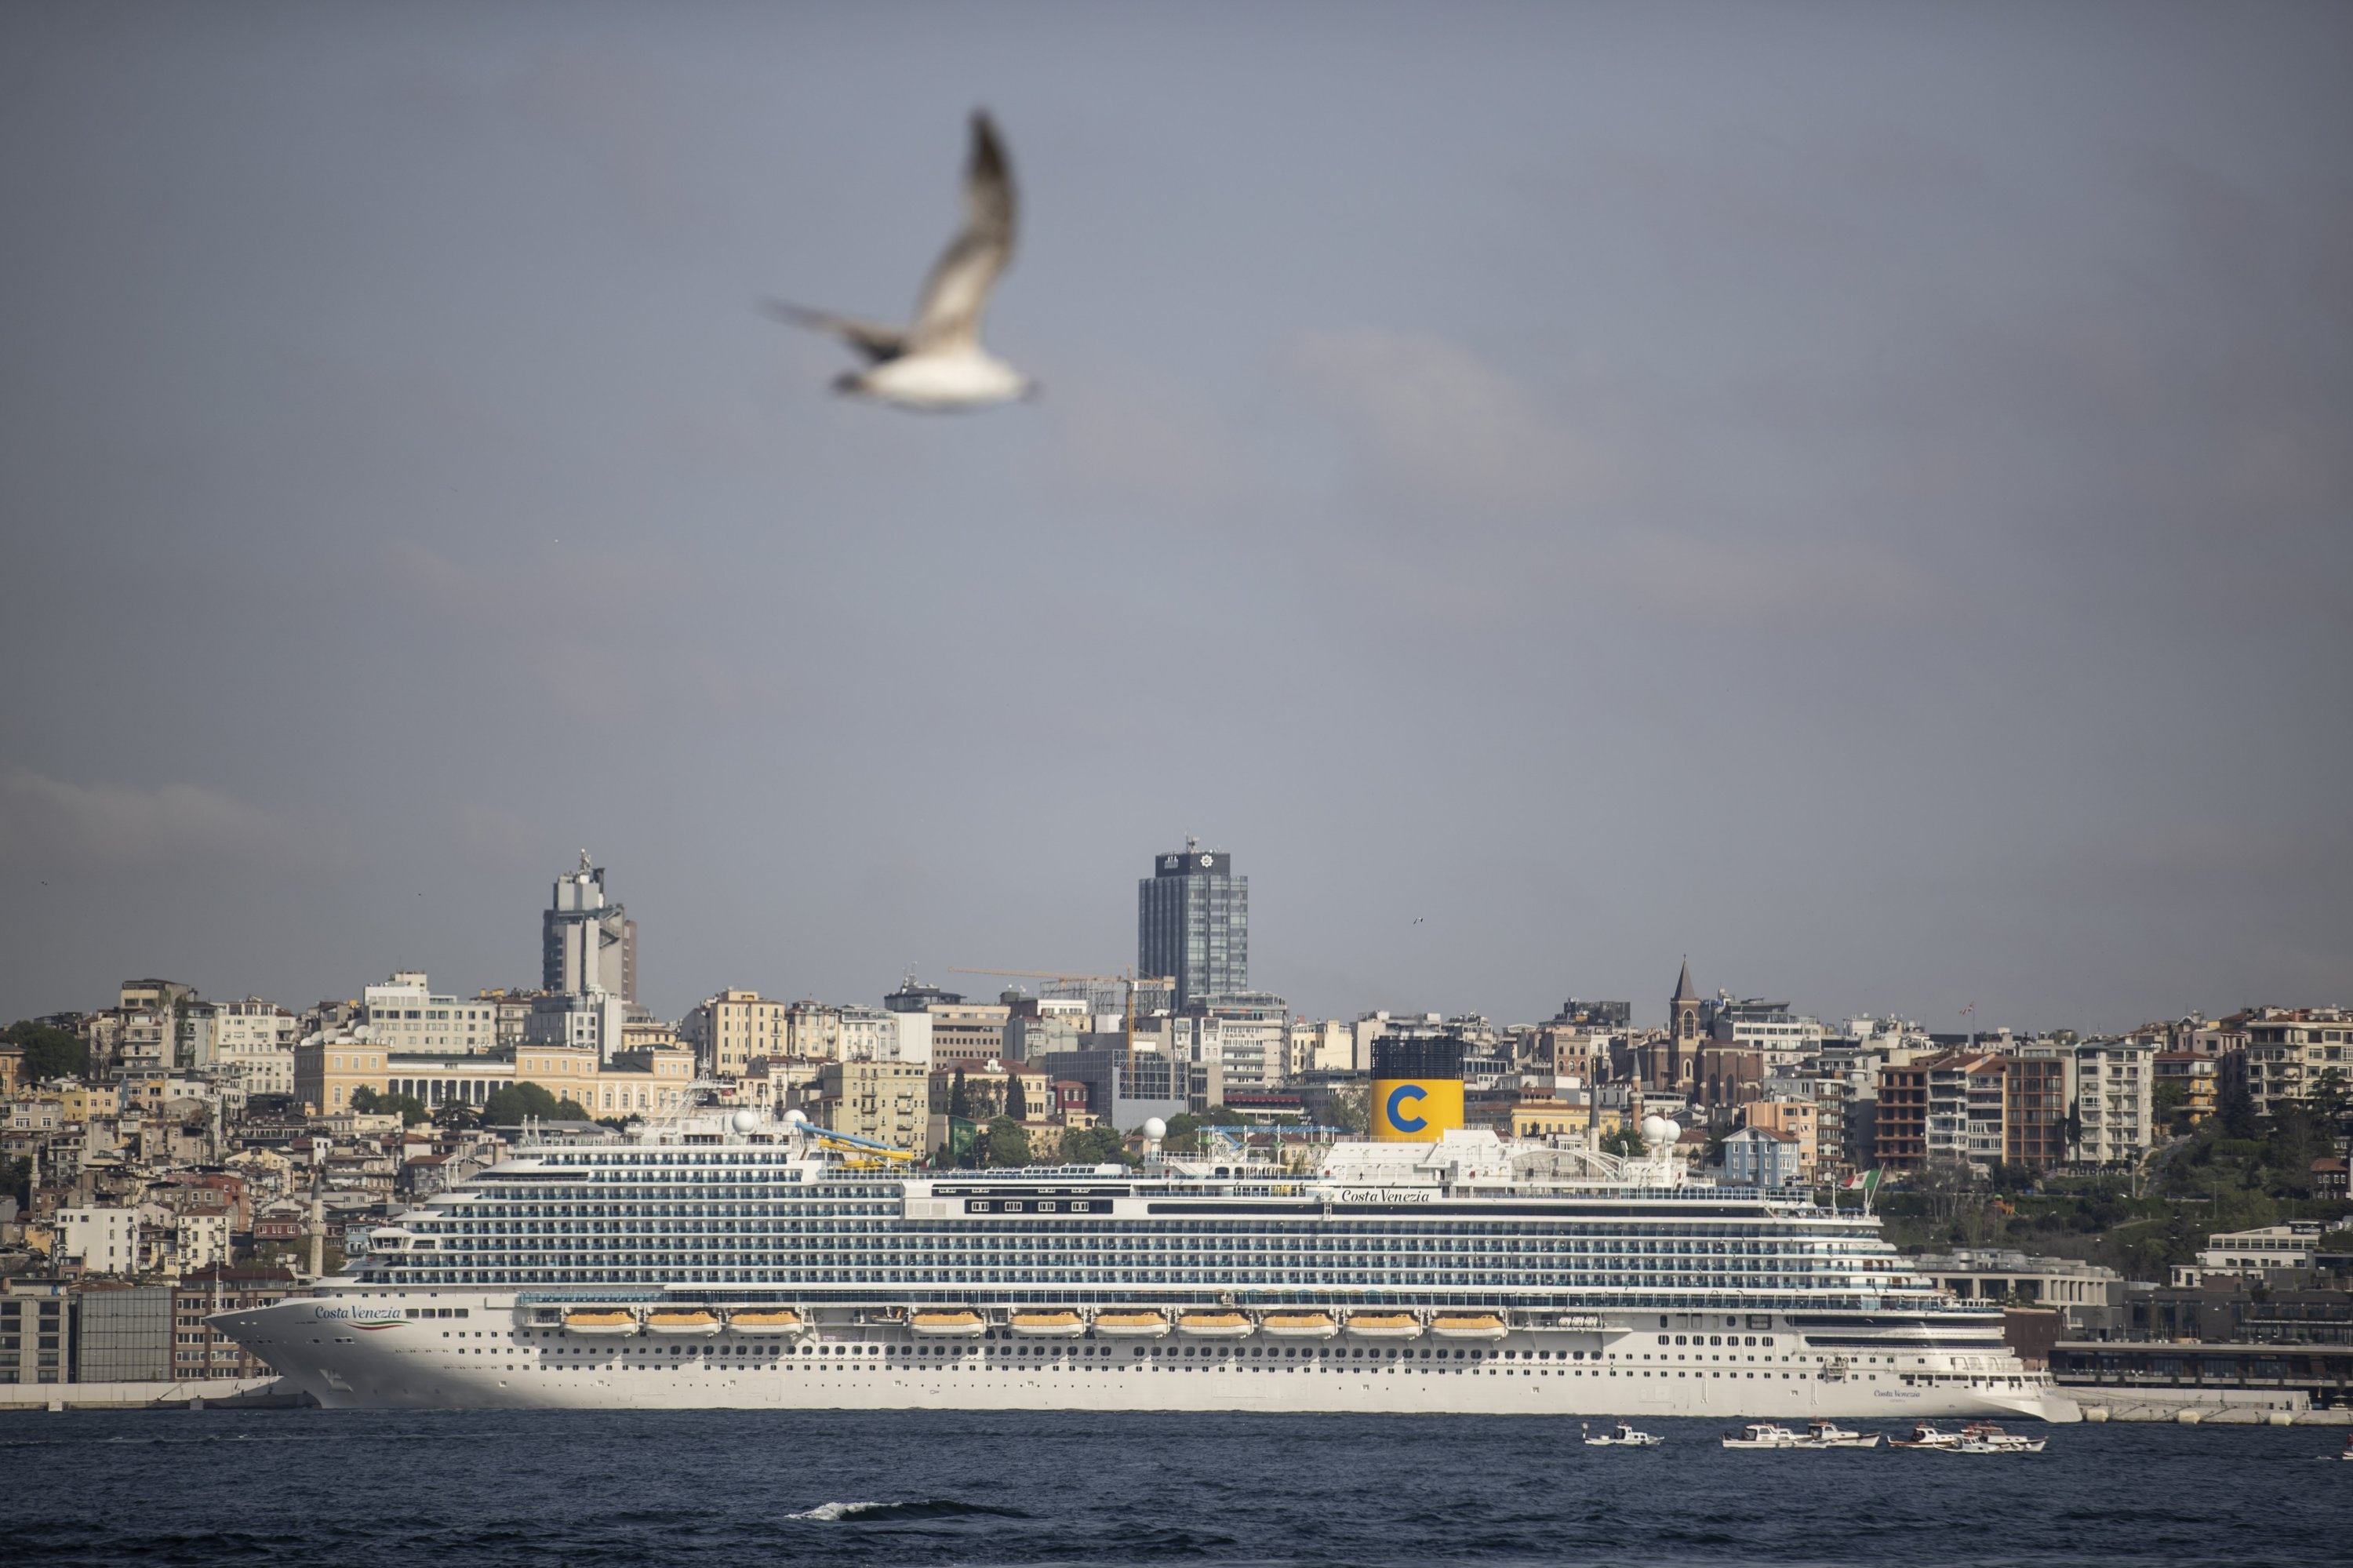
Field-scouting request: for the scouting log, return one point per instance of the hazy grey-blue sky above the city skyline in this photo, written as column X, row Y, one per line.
column 1860, row 496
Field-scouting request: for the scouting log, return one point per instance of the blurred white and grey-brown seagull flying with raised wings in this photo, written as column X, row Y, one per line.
column 940, row 364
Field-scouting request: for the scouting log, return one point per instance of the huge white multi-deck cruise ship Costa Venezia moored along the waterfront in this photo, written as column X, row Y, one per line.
column 740, row 1261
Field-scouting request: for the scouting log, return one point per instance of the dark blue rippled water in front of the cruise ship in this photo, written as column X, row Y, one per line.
column 309, row 1487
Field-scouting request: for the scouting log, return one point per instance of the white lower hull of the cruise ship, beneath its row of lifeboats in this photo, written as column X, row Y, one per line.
column 493, row 1362
